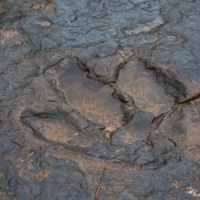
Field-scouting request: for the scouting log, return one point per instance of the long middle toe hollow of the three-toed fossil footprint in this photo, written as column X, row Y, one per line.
column 90, row 97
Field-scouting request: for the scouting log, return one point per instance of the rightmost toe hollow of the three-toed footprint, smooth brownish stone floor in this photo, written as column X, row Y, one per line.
column 144, row 89
